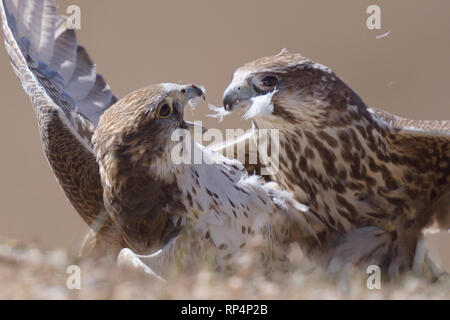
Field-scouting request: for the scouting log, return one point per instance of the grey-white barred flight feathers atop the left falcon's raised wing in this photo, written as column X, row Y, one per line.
column 46, row 57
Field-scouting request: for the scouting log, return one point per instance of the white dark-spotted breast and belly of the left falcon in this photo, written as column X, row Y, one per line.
column 237, row 209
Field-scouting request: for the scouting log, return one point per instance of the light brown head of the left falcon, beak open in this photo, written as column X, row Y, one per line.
column 146, row 118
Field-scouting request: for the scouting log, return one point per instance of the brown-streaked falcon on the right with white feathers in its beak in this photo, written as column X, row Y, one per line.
column 375, row 179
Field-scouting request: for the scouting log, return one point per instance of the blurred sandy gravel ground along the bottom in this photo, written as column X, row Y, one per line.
column 30, row 273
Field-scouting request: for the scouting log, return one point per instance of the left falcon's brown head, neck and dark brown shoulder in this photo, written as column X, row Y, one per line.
column 132, row 143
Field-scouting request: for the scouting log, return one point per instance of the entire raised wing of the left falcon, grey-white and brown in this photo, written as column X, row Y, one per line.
column 68, row 96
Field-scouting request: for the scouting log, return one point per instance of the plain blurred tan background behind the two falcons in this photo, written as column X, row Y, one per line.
column 136, row 43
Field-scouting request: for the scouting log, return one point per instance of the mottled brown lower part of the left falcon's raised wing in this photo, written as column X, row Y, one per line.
column 77, row 172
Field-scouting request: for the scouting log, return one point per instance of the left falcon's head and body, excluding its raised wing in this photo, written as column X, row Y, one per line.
column 144, row 172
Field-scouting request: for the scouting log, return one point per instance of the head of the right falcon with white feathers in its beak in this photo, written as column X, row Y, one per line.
column 288, row 88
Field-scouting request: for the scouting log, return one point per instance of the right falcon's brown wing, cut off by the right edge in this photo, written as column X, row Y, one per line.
column 425, row 143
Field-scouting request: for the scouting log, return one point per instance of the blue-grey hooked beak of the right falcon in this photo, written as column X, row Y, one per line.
column 238, row 95
